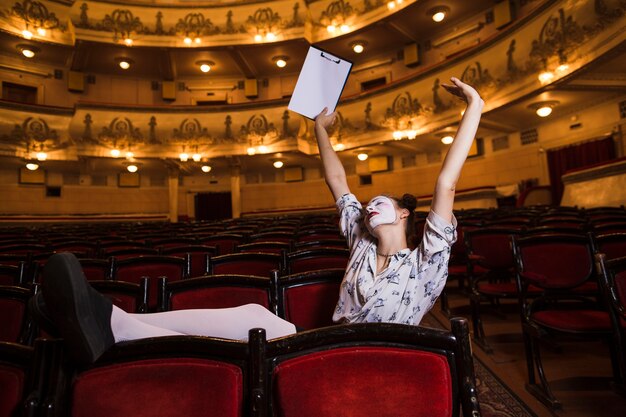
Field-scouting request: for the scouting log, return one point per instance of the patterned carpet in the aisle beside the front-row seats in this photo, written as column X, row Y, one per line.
column 496, row 399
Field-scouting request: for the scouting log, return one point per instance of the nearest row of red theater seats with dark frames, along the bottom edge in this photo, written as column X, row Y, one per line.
column 370, row 369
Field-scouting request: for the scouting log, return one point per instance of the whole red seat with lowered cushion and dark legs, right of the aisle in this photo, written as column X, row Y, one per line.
column 560, row 265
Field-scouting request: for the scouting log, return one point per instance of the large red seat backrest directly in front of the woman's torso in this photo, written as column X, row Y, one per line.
column 367, row 369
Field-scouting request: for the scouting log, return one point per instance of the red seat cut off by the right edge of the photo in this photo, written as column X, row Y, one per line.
column 612, row 279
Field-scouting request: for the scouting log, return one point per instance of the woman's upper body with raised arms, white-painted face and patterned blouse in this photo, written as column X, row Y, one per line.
column 385, row 280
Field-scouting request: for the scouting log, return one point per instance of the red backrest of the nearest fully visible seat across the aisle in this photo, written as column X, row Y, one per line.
column 554, row 261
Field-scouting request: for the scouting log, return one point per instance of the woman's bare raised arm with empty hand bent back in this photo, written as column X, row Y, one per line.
column 443, row 197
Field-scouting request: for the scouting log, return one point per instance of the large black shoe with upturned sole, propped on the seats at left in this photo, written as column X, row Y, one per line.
column 82, row 315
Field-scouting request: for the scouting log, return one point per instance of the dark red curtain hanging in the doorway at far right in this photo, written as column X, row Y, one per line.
column 571, row 157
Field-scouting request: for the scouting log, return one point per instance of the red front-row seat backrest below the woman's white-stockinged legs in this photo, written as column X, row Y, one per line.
column 166, row 376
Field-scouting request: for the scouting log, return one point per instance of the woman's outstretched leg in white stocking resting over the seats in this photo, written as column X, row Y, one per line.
column 227, row 323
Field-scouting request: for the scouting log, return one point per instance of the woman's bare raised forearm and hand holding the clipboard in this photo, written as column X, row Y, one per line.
column 334, row 174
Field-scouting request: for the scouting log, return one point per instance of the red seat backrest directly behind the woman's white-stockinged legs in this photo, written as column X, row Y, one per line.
column 214, row 291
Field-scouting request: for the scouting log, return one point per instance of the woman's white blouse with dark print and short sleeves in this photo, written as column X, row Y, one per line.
column 407, row 288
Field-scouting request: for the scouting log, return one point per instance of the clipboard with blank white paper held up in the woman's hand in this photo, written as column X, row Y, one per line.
column 320, row 83
